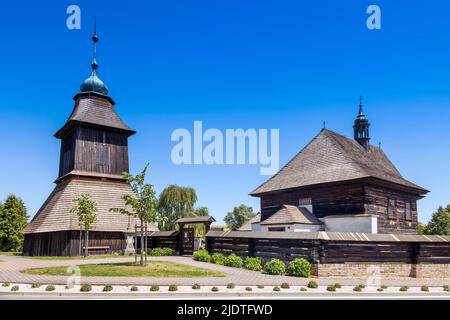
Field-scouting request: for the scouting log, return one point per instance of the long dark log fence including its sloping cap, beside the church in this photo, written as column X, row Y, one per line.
column 321, row 247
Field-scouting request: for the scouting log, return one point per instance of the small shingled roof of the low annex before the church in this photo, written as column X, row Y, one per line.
column 291, row 214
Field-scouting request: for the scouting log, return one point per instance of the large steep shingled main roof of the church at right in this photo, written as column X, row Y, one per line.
column 331, row 157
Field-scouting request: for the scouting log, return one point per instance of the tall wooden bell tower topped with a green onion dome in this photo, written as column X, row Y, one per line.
column 94, row 154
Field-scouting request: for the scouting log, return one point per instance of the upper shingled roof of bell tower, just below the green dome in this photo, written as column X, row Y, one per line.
column 95, row 109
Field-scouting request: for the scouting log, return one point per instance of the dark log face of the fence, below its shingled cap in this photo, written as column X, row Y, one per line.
column 323, row 251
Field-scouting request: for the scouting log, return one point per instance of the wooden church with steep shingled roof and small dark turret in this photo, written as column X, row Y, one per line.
column 339, row 184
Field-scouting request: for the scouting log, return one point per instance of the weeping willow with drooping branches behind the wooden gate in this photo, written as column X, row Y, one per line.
column 176, row 202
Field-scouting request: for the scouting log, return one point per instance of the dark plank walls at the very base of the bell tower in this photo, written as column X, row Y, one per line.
column 66, row 243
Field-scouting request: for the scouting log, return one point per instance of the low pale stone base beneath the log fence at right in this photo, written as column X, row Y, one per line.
column 383, row 270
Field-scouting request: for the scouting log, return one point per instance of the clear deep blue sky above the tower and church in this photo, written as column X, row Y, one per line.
column 232, row 64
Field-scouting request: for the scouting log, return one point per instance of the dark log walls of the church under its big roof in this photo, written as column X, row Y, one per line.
column 351, row 198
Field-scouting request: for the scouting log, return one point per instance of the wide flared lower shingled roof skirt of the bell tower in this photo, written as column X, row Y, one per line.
column 54, row 214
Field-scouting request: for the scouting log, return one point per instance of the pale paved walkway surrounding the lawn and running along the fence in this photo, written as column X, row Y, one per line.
column 10, row 267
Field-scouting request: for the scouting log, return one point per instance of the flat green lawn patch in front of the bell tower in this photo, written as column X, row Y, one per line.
column 153, row 269
